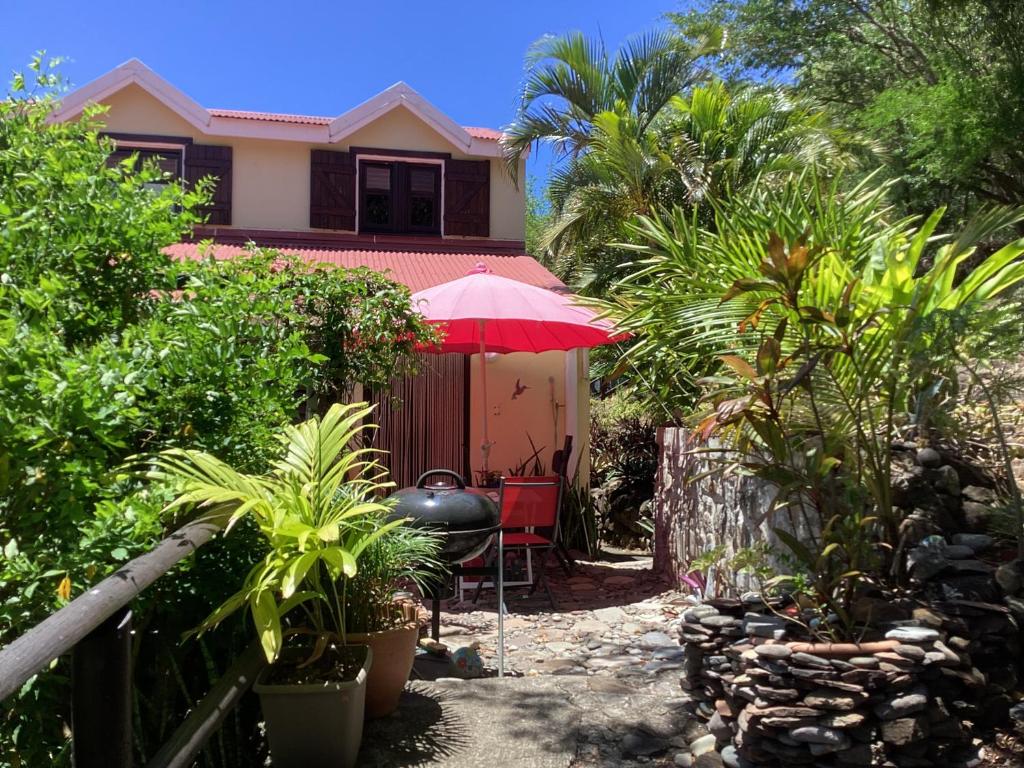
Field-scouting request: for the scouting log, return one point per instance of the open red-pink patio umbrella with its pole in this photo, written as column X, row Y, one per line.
column 484, row 313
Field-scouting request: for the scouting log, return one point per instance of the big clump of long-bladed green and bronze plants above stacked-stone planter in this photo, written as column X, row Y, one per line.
column 833, row 326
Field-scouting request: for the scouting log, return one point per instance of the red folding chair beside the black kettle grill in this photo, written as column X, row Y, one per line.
column 529, row 505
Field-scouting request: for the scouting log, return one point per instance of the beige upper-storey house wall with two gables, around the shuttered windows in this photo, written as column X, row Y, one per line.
column 271, row 179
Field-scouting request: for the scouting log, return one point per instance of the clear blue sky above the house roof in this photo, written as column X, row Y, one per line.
column 320, row 58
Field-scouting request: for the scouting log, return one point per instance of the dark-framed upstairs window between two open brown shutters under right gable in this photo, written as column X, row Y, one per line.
column 400, row 197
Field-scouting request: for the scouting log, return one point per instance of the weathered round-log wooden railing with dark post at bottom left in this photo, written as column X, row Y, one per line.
column 96, row 629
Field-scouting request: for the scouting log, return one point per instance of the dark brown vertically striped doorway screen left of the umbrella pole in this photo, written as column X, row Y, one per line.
column 424, row 422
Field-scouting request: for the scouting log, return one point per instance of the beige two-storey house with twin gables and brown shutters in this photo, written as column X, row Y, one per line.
column 394, row 185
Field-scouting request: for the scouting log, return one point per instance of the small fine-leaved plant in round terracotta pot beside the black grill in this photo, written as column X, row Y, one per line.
column 403, row 558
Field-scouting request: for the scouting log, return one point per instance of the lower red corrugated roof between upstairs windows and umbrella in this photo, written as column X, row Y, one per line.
column 417, row 270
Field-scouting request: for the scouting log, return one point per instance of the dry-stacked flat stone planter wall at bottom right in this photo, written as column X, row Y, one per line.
column 908, row 699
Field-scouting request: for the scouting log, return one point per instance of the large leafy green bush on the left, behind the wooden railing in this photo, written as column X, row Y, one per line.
column 108, row 349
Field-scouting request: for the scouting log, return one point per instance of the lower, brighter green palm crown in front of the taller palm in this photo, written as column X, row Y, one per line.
column 705, row 146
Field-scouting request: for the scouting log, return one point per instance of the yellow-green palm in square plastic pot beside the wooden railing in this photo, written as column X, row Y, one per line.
column 317, row 511
